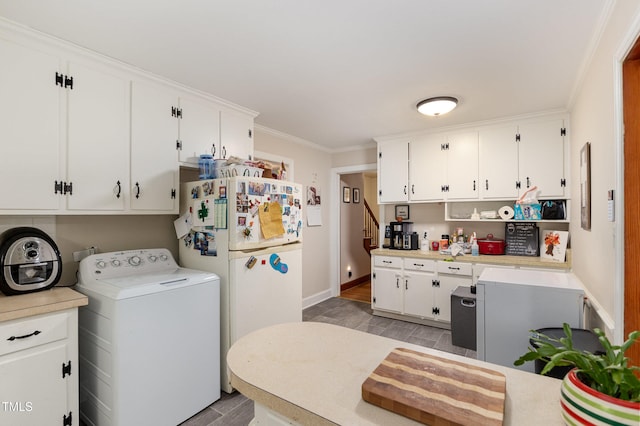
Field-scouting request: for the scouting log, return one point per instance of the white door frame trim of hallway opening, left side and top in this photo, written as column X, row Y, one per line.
column 334, row 217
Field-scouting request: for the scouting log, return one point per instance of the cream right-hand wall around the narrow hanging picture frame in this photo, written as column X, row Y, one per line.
column 595, row 119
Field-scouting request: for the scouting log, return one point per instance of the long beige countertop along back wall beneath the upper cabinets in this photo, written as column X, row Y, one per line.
column 526, row 261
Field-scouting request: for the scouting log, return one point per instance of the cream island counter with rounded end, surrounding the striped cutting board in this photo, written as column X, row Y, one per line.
column 312, row 373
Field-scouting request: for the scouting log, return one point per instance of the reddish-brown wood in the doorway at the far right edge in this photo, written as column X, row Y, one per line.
column 631, row 112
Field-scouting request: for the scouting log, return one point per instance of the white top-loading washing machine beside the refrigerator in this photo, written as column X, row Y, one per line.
column 149, row 339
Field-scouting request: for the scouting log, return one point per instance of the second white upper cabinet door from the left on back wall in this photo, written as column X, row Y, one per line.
column 427, row 165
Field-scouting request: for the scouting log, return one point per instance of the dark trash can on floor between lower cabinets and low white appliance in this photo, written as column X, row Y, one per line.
column 463, row 318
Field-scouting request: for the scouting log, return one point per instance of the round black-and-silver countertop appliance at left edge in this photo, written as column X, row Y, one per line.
column 29, row 259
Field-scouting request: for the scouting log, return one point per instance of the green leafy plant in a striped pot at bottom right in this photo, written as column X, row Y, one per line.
column 601, row 388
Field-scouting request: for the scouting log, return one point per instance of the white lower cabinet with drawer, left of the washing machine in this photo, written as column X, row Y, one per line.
column 39, row 370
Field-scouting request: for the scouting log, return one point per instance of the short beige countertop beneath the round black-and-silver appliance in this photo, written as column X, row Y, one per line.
column 41, row 302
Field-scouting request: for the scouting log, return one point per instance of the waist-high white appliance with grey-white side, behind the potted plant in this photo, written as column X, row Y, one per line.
column 510, row 302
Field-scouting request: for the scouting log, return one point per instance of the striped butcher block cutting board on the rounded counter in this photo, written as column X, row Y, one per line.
column 435, row 390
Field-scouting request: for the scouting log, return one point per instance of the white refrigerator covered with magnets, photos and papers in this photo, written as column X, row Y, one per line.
column 249, row 232
